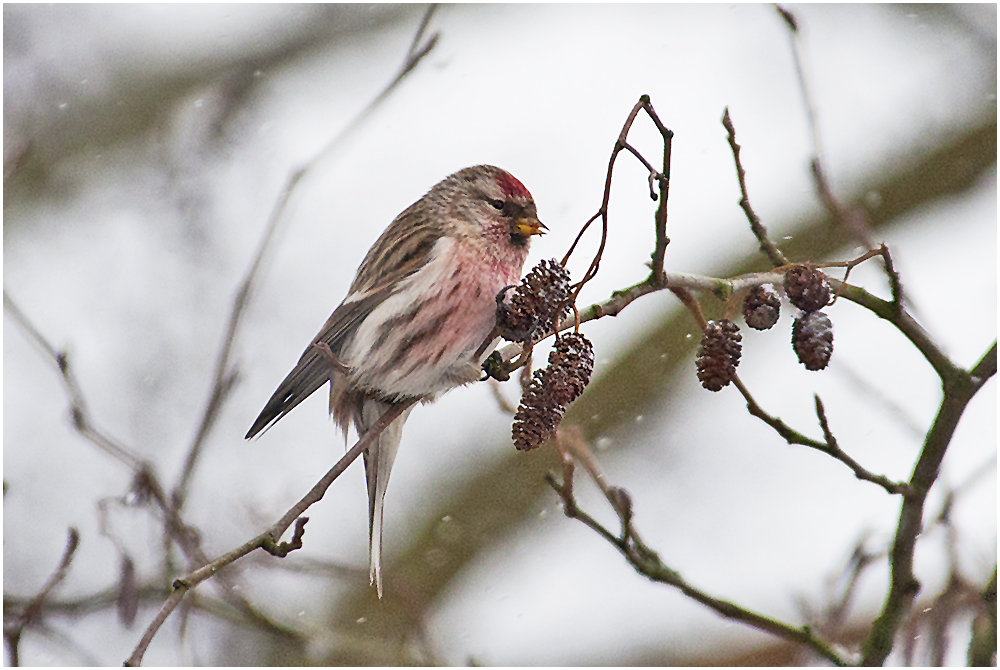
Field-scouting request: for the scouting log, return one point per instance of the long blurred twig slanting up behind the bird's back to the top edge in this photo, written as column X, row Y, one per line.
column 224, row 377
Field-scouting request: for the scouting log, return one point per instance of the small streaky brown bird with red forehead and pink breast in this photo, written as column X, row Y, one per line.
column 415, row 320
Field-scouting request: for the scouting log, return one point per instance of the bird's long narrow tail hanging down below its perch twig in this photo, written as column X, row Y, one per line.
column 378, row 463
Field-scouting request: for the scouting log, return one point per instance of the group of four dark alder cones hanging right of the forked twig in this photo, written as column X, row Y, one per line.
column 812, row 333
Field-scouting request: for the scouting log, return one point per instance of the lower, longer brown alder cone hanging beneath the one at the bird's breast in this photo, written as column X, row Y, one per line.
column 552, row 388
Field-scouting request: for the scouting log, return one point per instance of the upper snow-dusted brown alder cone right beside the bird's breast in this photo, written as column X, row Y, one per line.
column 537, row 304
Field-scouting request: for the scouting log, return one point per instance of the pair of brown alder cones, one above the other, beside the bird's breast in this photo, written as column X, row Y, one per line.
column 534, row 309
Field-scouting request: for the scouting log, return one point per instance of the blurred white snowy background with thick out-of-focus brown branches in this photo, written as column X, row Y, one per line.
column 145, row 147
